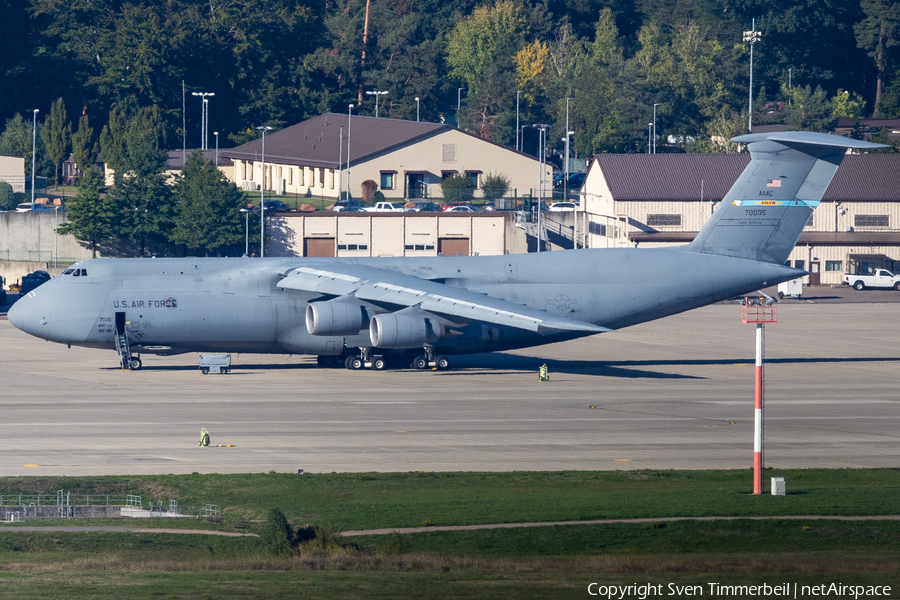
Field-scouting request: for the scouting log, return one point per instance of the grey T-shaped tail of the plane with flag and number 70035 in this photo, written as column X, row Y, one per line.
column 764, row 213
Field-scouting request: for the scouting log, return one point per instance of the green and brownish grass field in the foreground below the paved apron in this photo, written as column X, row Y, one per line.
column 545, row 562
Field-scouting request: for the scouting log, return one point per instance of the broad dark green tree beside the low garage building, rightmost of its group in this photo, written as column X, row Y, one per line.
column 208, row 209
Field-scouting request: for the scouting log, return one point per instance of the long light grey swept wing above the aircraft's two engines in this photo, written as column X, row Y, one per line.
column 388, row 287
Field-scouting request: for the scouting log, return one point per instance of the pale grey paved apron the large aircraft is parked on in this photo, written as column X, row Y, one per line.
column 677, row 393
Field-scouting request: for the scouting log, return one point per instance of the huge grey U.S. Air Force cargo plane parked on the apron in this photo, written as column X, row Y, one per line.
column 379, row 312
